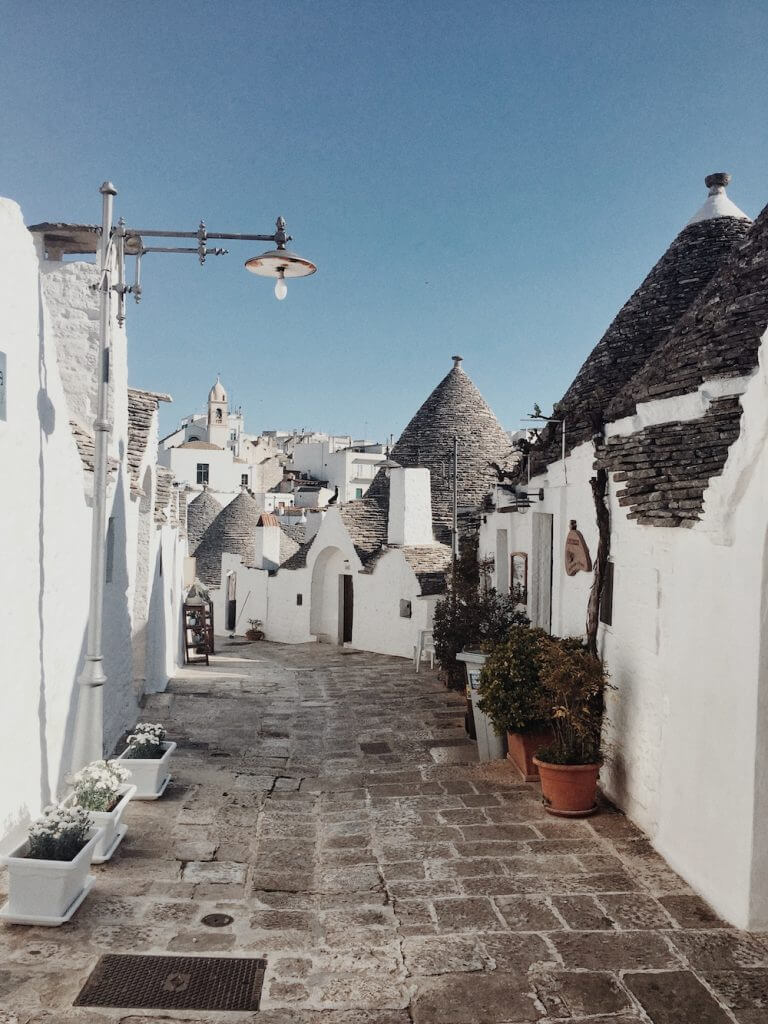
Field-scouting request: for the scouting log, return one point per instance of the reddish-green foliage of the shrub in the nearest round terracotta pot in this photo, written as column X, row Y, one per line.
column 573, row 687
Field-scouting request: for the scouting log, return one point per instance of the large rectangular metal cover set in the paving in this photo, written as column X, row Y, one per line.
column 175, row 984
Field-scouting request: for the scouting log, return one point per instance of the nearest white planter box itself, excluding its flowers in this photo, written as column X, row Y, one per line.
column 47, row 892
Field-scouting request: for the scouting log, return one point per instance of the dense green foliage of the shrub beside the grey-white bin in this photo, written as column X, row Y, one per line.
column 509, row 690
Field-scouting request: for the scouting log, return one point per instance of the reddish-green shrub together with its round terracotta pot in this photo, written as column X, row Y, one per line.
column 573, row 685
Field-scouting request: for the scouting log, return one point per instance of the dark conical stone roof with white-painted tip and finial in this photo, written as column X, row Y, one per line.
column 645, row 323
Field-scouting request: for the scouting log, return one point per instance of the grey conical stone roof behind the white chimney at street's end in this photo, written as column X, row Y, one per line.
column 456, row 408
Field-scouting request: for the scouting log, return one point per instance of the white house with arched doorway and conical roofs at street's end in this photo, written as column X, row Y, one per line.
column 365, row 573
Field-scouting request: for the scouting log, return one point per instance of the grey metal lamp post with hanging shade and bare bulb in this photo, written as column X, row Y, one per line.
column 115, row 244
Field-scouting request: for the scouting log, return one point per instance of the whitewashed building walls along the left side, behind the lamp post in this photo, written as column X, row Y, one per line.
column 51, row 338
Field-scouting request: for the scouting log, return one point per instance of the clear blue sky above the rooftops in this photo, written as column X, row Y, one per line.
column 488, row 179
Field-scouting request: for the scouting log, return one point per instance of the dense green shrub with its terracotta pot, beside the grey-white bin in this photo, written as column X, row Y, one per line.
column 510, row 696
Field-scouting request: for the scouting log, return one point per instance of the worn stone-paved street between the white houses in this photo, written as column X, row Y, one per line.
column 326, row 800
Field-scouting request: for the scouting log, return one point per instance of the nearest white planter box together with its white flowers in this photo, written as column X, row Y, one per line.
column 49, row 873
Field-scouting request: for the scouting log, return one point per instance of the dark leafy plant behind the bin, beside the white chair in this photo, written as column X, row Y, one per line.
column 473, row 615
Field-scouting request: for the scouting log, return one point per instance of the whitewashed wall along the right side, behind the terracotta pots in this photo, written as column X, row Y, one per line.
column 688, row 651
